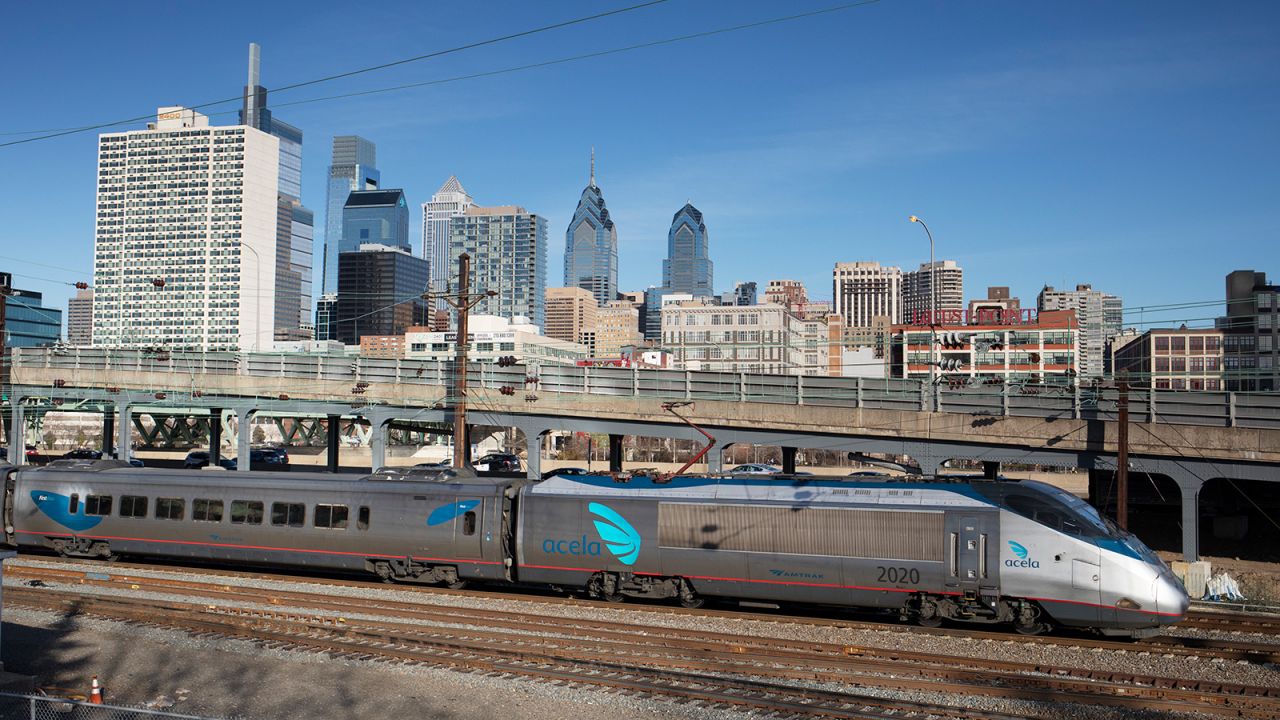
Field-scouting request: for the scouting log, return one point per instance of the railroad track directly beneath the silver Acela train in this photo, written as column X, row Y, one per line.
column 1255, row 653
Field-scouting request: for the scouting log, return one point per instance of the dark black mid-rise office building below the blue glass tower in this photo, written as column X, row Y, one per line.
column 380, row 289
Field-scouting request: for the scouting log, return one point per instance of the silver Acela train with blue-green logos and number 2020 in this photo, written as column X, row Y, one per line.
column 1014, row 553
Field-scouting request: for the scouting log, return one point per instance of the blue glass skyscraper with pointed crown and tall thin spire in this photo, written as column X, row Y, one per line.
column 592, row 245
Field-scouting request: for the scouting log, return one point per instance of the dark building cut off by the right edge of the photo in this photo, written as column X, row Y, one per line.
column 1251, row 326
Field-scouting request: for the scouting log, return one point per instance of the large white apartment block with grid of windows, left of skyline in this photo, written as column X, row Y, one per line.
column 186, row 236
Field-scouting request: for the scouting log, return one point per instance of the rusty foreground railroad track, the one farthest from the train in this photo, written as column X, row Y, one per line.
column 390, row 623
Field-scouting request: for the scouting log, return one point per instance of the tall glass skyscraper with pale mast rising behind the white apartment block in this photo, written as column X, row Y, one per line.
column 295, row 224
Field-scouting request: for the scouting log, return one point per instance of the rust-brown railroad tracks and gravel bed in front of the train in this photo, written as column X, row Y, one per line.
column 790, row 663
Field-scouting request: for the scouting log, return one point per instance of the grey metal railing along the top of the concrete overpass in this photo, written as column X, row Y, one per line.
column 1186, row 408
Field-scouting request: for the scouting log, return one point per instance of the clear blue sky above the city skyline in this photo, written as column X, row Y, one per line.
column 1128, row 145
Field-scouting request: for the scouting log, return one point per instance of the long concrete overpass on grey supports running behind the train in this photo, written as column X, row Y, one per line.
column 1190, row 438
